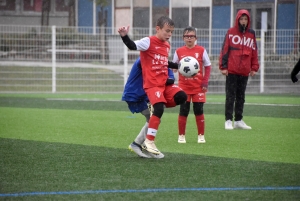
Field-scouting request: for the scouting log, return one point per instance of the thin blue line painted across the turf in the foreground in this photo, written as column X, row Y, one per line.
column 295, row 188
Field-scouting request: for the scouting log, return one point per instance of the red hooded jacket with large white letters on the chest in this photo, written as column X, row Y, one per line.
column 239, row 51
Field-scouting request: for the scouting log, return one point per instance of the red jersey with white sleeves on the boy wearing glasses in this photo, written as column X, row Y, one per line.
column 192, row 85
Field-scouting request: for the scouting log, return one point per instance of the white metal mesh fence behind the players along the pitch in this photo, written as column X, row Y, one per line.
column 39, row 59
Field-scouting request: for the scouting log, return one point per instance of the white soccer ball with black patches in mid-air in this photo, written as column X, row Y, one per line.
column 188, row 66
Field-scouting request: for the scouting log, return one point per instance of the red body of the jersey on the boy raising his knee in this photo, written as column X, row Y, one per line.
column 154, row 62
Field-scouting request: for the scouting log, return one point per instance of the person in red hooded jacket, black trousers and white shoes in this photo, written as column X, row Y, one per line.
column 238, row 59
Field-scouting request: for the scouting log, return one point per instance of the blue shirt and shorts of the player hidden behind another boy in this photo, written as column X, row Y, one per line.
column 134, row 93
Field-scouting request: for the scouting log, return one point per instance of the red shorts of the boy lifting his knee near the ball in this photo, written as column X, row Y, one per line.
column 163, row 94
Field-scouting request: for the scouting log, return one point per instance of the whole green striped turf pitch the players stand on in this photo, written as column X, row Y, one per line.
column 55, row 148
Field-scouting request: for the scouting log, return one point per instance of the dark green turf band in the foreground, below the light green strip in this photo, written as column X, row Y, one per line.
column 30, row 166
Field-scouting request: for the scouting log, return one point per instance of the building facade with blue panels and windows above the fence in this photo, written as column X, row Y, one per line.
column 202, row 14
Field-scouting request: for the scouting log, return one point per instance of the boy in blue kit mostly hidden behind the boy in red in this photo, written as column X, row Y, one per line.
column 137, row 101
